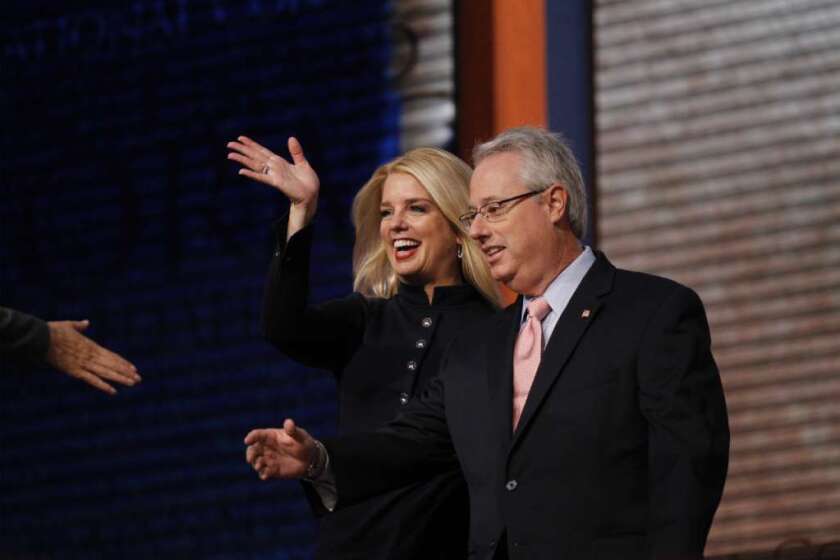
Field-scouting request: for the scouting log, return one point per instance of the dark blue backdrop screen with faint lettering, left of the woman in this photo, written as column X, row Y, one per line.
column 119, row 206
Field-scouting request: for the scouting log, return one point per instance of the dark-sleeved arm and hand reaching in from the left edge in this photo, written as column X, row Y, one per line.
column 28, row 340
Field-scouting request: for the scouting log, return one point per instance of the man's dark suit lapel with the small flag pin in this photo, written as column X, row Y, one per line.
column 573, row 323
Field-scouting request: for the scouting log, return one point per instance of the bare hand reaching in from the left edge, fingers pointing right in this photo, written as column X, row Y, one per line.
column 75, row 354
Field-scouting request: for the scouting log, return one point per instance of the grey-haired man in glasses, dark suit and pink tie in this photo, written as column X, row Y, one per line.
column 588, row 418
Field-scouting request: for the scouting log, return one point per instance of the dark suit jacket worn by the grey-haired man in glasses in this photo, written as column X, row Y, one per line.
column 622, row 448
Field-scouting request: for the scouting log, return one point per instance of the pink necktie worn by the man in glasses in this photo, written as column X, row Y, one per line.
column 526, row 354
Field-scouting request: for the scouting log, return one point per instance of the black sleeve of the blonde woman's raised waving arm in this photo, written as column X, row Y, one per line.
column 322, row 336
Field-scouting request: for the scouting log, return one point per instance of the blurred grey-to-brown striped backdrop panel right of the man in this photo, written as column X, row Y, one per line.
column 717, row 165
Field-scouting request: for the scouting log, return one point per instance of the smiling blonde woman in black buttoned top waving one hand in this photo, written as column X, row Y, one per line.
column 418, row 280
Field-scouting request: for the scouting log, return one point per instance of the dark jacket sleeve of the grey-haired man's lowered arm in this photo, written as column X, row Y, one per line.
column 682, row 399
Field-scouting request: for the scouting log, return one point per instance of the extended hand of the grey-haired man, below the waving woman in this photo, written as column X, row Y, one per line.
column 280, row 452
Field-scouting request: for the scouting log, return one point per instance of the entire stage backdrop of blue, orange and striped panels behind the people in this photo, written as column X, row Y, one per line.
column 707, row 130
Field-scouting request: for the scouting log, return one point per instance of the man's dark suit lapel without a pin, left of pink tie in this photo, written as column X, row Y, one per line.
column 500, row 367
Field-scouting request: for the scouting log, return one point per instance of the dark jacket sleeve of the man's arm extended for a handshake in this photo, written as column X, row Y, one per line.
column 415, row 446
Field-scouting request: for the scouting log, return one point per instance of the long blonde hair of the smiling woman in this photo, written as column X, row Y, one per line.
column 446, row 178
